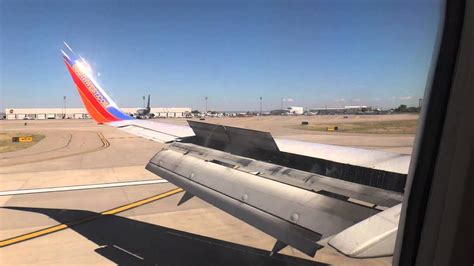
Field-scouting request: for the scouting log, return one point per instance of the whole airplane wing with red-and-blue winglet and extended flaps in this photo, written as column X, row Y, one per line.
column 305, row 195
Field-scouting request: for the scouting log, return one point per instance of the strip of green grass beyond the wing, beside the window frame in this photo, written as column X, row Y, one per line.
column 373, row 127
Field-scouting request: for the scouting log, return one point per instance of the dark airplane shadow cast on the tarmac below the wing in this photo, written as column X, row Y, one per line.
column 129, row 242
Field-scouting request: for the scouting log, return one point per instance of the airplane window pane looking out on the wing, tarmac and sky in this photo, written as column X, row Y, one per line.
column 209, row 132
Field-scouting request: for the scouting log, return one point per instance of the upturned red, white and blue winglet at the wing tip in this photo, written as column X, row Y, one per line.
column 98, row 104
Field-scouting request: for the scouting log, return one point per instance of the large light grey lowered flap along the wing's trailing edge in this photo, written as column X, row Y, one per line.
column 257, row 200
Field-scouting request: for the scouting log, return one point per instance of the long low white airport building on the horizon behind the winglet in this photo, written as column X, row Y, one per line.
column 81, row 113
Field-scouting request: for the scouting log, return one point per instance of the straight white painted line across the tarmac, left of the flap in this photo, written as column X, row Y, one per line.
column 81, row 187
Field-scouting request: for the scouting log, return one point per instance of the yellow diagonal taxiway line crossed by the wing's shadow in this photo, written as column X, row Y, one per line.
column 60, row 227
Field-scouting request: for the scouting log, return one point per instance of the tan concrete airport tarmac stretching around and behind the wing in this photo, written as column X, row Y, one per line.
column 138, row 224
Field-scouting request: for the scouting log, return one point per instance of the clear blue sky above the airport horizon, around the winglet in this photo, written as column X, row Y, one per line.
column 318, row 53
